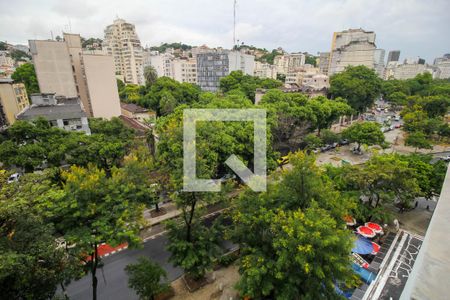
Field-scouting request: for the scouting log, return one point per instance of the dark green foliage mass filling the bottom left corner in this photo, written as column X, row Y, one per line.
column 33, row 263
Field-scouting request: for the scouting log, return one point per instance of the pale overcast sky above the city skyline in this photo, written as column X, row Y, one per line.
column 416, row 27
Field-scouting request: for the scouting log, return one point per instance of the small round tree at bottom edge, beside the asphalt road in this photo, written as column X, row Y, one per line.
column 145, row 278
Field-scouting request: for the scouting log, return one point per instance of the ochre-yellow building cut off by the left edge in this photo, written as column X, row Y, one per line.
column 13, row 99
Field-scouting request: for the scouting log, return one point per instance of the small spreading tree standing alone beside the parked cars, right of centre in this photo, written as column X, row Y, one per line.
column 367, row 133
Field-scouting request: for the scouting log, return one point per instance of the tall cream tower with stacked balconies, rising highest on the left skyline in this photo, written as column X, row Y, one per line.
column 122, row 42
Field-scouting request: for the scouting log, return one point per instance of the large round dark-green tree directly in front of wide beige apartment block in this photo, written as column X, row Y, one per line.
column 359, row 85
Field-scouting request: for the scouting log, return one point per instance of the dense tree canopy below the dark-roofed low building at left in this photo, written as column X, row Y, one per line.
column 37, row 145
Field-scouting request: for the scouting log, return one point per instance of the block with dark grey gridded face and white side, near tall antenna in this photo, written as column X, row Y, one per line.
column 212, row 66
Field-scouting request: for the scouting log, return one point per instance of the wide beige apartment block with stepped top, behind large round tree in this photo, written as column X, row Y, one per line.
column 352, row 47
